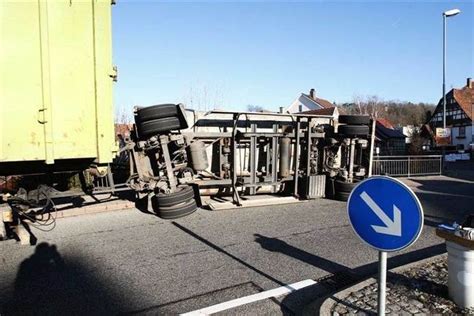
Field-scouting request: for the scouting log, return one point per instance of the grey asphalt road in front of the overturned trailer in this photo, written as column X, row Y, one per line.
column 135, row 263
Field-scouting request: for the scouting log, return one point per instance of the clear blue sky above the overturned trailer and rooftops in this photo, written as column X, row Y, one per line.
column 232, row 54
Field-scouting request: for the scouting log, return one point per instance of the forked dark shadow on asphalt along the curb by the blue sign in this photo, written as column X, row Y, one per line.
column 340, row 276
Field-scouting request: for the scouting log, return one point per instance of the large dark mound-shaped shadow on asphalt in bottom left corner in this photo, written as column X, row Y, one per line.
column 48, row 284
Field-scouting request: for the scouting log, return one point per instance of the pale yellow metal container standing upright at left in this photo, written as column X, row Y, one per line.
column 56, row 78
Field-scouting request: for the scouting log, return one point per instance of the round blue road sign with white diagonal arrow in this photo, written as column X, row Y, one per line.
column 385, row 213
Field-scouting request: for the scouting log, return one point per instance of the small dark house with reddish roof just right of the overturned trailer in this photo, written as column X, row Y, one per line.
column 389, row 140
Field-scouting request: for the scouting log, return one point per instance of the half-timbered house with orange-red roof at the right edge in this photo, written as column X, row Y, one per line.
column 459, row 115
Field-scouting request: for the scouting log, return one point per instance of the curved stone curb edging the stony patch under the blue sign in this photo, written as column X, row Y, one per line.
column 327, row 302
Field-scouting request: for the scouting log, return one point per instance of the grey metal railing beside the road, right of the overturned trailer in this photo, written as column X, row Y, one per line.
column 407, row 166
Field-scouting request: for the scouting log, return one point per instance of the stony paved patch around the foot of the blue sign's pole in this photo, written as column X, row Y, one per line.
column 420, row 290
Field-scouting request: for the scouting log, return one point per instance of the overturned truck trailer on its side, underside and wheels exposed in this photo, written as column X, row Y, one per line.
column 176, row 158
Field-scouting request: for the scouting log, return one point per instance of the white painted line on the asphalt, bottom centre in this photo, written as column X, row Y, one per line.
column 251, row 298
